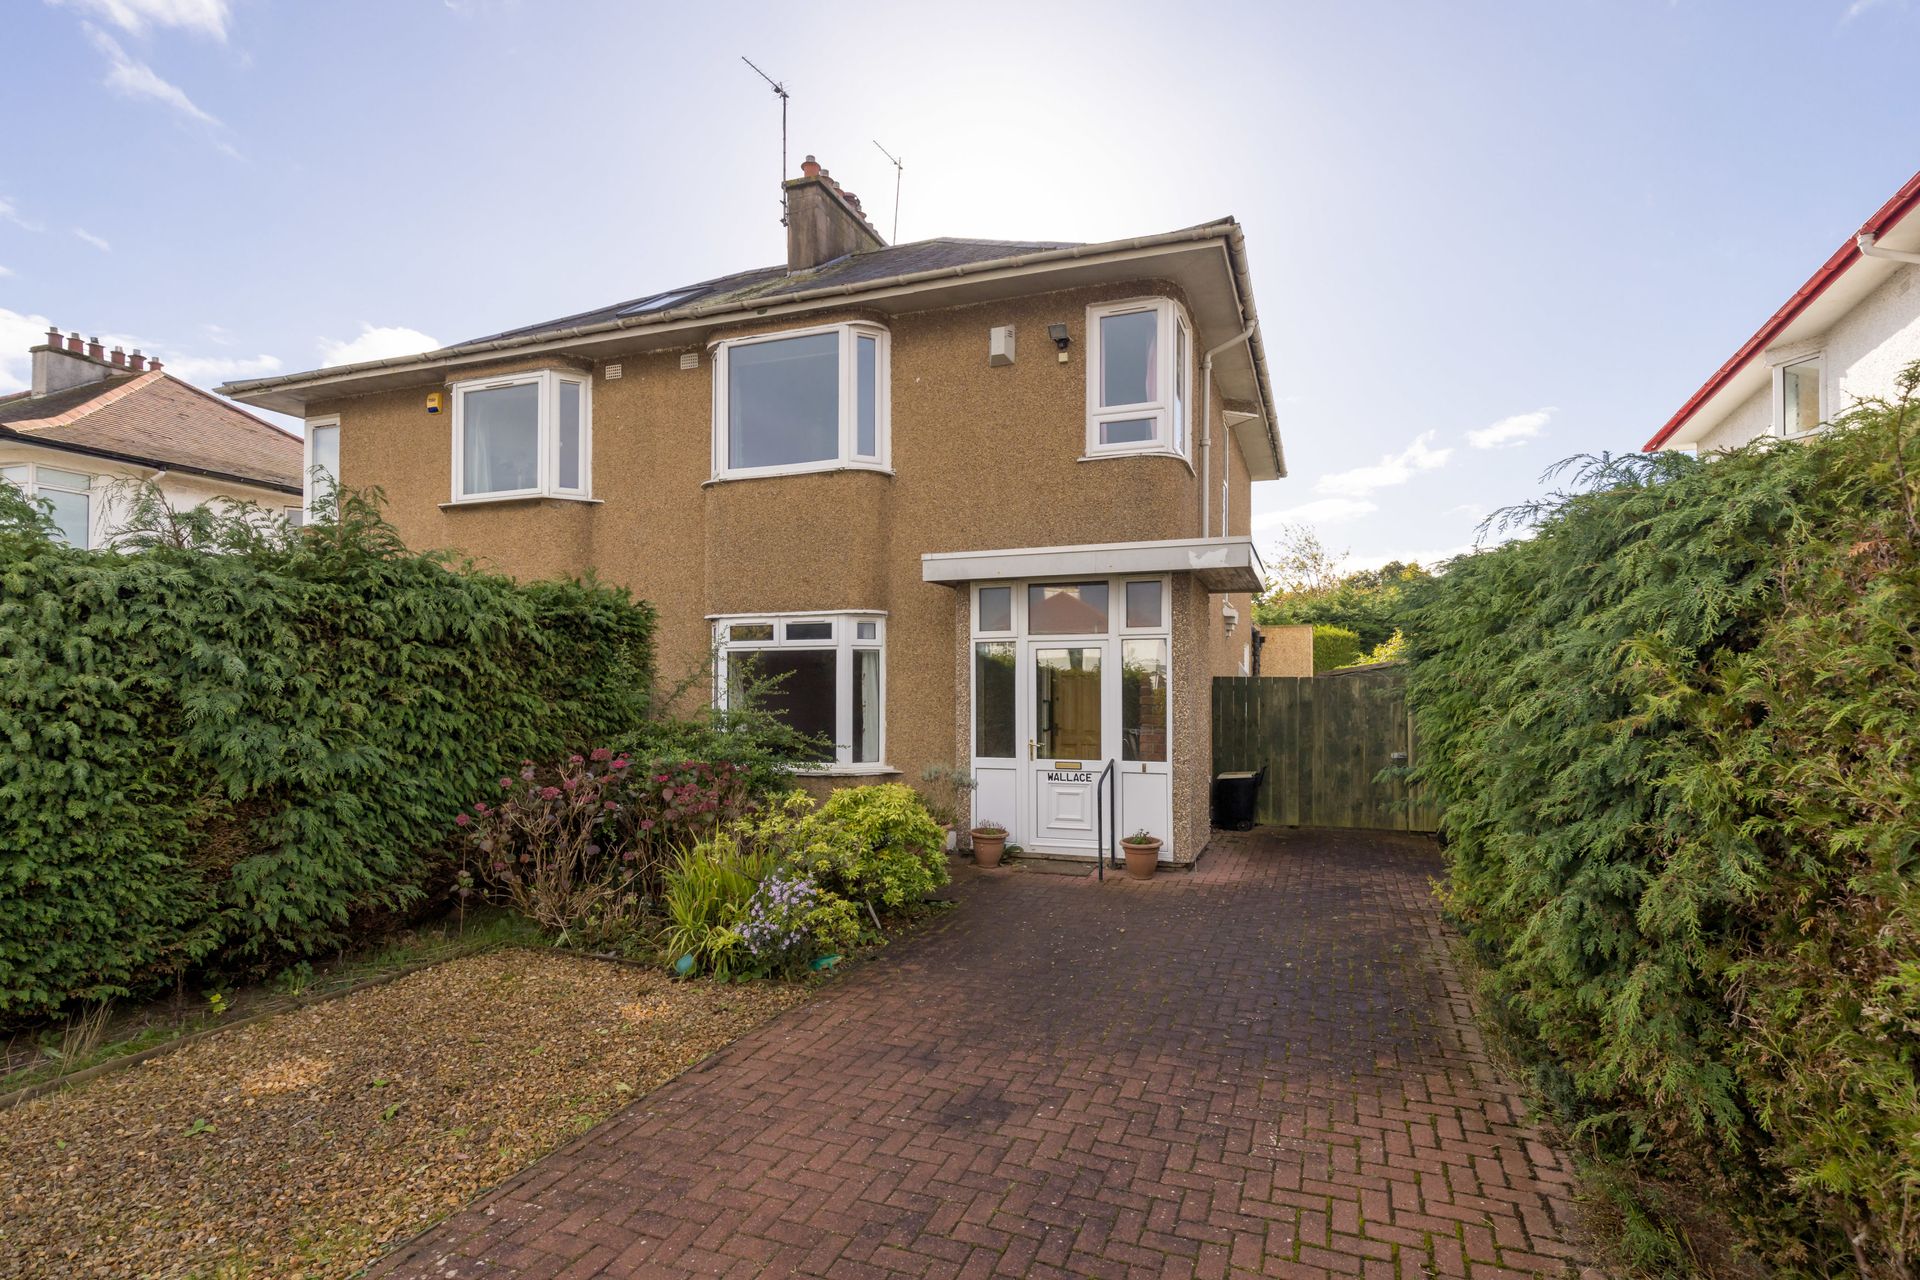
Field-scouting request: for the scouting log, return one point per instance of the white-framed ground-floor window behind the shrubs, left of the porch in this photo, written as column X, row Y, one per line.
column 825, row 675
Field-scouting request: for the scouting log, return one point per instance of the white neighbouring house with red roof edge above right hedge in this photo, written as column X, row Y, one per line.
column 1842, row 337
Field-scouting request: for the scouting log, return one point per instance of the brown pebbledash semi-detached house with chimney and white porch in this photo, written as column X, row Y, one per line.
column 978, row 502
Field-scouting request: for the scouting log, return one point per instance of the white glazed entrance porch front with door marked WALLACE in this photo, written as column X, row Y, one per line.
column 1070, row 678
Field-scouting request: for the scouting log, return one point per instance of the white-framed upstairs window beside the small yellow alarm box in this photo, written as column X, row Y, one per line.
column 523, row 437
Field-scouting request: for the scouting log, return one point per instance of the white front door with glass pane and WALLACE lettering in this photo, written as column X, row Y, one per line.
column 1070, row 746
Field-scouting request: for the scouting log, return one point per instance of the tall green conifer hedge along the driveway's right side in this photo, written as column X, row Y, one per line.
column 1677, row 736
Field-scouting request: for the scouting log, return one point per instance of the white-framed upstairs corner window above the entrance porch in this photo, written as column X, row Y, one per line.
column 1140, row 379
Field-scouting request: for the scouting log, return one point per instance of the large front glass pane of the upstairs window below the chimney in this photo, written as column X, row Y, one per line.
column 784, row 402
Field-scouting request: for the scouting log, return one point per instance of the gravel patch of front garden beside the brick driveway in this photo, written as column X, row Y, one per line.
column 310, row 1143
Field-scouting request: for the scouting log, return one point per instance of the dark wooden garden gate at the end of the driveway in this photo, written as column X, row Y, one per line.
column 1335, row 747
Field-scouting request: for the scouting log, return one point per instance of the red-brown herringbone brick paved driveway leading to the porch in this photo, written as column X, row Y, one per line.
column 1259, row 1068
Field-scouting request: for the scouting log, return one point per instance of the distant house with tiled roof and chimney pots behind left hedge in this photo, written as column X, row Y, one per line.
column 93, row 421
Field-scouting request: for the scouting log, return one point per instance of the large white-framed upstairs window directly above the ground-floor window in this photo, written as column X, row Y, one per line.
column 798, row 402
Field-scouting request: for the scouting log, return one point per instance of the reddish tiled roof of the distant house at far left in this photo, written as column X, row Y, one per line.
column 160, row 421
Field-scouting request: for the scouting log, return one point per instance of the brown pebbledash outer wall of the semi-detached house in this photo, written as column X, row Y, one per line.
column 982, row 458
